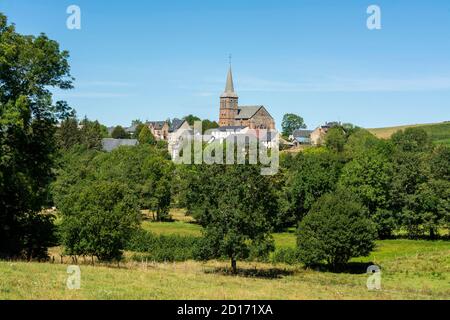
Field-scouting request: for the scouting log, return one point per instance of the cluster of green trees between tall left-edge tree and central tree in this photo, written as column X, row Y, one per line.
column 100, row 196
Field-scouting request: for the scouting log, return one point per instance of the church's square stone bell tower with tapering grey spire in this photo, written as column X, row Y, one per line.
column 228, row 103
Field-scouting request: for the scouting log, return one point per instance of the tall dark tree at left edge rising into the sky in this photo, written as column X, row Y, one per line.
column 30, row 67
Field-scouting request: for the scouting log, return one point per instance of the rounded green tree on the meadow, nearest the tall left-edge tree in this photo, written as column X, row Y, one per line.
column 98, row 219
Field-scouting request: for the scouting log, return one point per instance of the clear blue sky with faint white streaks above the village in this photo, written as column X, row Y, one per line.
column 158, row 59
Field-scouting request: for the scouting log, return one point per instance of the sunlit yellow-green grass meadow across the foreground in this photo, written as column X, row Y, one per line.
column 410, row 270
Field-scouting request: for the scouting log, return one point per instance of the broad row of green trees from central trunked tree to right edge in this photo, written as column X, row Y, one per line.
column 342, row 196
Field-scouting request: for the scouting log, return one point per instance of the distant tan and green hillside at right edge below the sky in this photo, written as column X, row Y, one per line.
column 439, row 132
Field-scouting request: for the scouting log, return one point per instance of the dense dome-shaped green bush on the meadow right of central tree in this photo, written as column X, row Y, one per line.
column 336, row 229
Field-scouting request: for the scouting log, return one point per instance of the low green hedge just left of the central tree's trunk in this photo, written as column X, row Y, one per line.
column 162, row 248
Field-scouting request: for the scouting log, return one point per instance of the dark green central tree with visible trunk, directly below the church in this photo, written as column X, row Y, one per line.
column 236, row 213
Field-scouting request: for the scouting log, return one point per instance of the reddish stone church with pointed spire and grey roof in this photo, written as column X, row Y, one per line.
column 234, row 115
